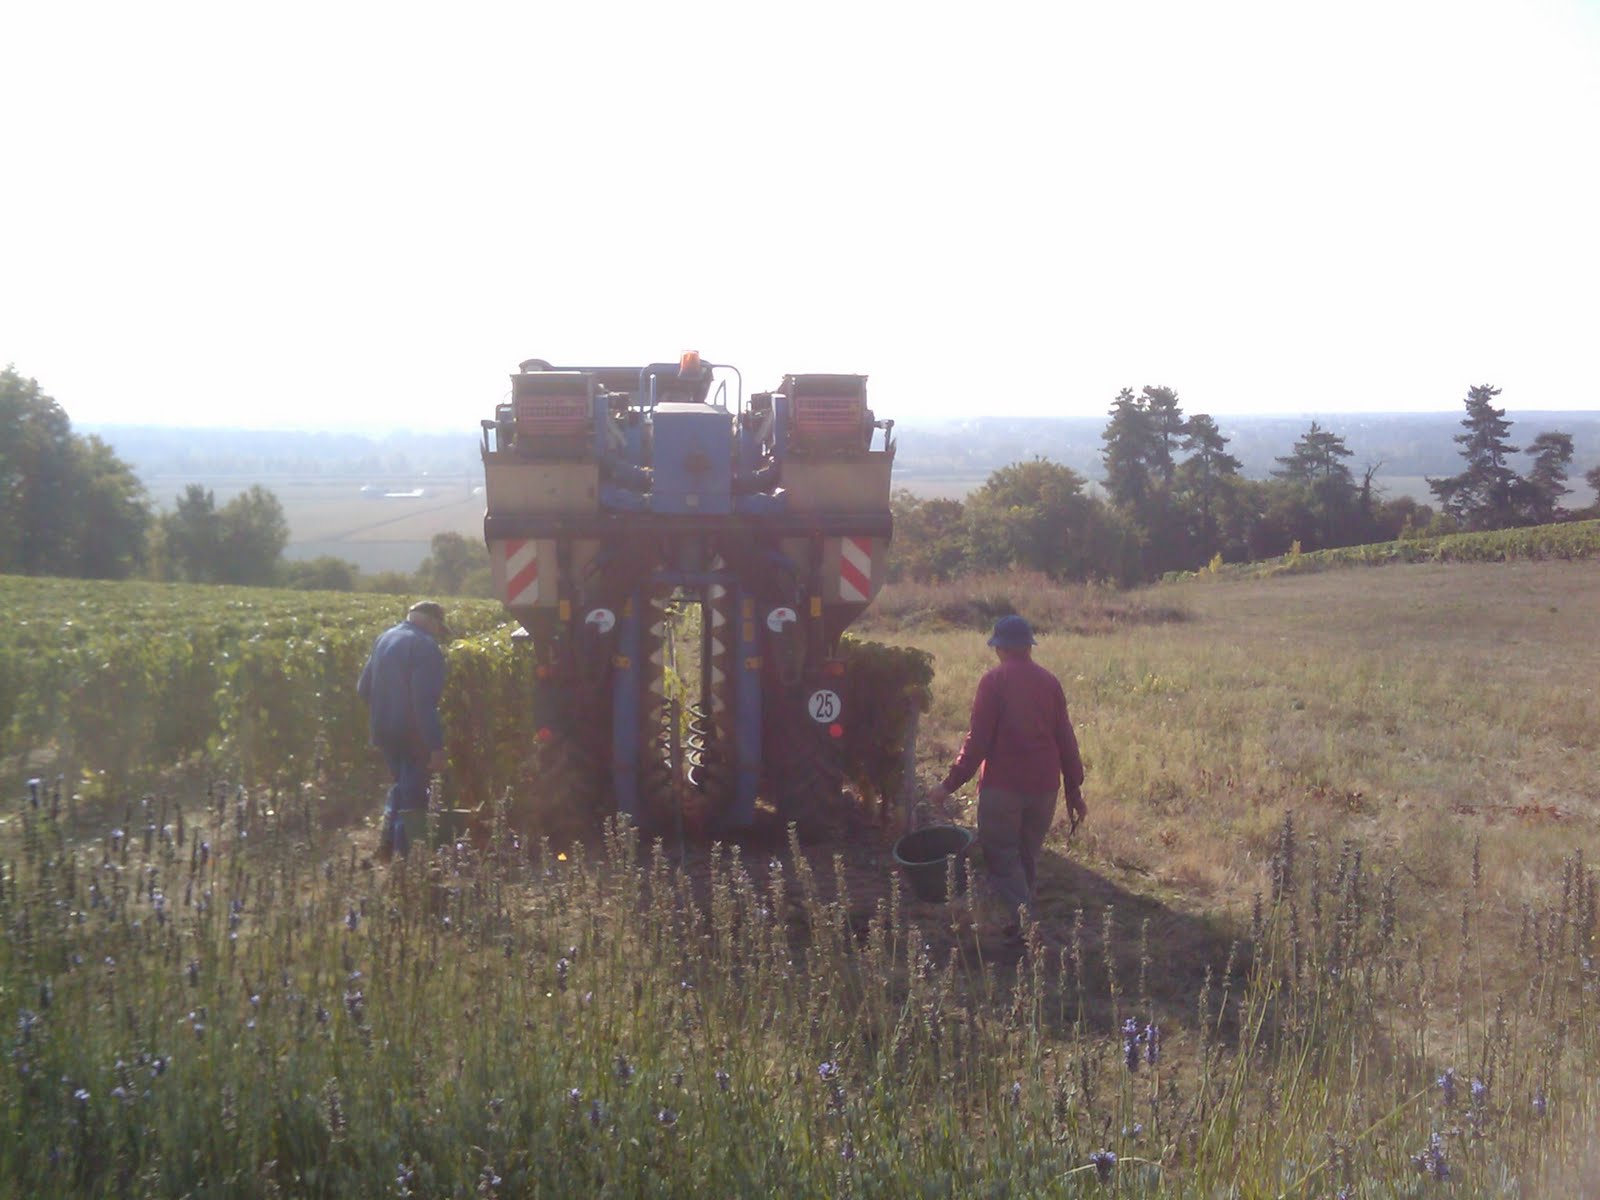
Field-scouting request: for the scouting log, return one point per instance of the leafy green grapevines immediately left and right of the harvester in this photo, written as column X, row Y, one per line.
column 127, row 681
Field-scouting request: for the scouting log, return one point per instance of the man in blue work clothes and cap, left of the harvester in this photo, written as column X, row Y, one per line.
column 402, row 684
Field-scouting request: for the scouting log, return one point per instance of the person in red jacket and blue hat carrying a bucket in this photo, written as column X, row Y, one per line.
column 1022, row 746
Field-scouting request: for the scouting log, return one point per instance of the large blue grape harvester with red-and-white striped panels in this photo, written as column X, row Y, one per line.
column 622, row 498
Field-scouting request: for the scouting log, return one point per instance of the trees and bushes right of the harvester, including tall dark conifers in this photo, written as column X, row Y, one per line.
column 1174, row 498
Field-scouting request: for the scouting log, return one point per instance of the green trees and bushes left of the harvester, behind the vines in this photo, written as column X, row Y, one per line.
column 71, row 508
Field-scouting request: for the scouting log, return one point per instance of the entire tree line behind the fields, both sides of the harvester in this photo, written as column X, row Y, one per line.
column 1172, row 498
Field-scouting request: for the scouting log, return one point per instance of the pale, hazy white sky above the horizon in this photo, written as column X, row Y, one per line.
column 337, row 215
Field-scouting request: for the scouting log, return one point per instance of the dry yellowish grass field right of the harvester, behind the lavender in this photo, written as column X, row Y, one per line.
column 1417, row 711
